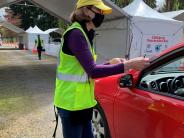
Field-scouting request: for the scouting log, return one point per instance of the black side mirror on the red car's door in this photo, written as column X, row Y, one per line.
column 126, row 81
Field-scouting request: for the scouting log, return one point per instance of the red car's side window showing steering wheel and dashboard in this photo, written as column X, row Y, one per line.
column 167, row 79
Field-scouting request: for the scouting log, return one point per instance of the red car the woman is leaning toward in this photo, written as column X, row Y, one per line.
column 144, row 104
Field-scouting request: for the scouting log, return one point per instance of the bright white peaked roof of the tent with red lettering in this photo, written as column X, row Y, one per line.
column 140, row 8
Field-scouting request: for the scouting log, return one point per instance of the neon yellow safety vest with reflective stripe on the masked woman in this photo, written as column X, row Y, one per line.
column 74, row 89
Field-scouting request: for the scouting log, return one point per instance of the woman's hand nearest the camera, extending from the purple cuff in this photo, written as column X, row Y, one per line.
column 136, row 63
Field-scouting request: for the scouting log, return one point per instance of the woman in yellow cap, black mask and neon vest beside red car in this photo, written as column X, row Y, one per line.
column 74, row 94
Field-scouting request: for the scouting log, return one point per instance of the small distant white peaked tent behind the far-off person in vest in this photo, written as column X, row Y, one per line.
column 32, row 34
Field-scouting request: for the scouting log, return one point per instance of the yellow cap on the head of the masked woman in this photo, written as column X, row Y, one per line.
column 97, row 3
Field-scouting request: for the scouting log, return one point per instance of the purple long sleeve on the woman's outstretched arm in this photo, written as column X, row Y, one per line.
column 78, row 46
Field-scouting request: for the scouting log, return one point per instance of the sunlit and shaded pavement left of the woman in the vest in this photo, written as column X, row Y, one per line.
column 26, row 95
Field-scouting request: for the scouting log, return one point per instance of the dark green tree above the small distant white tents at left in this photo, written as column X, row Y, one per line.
column 32, row 15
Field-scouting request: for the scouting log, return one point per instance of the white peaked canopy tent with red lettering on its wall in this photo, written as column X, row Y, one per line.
column 150, row 31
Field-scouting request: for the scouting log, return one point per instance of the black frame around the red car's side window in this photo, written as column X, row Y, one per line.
column 157, row 63
